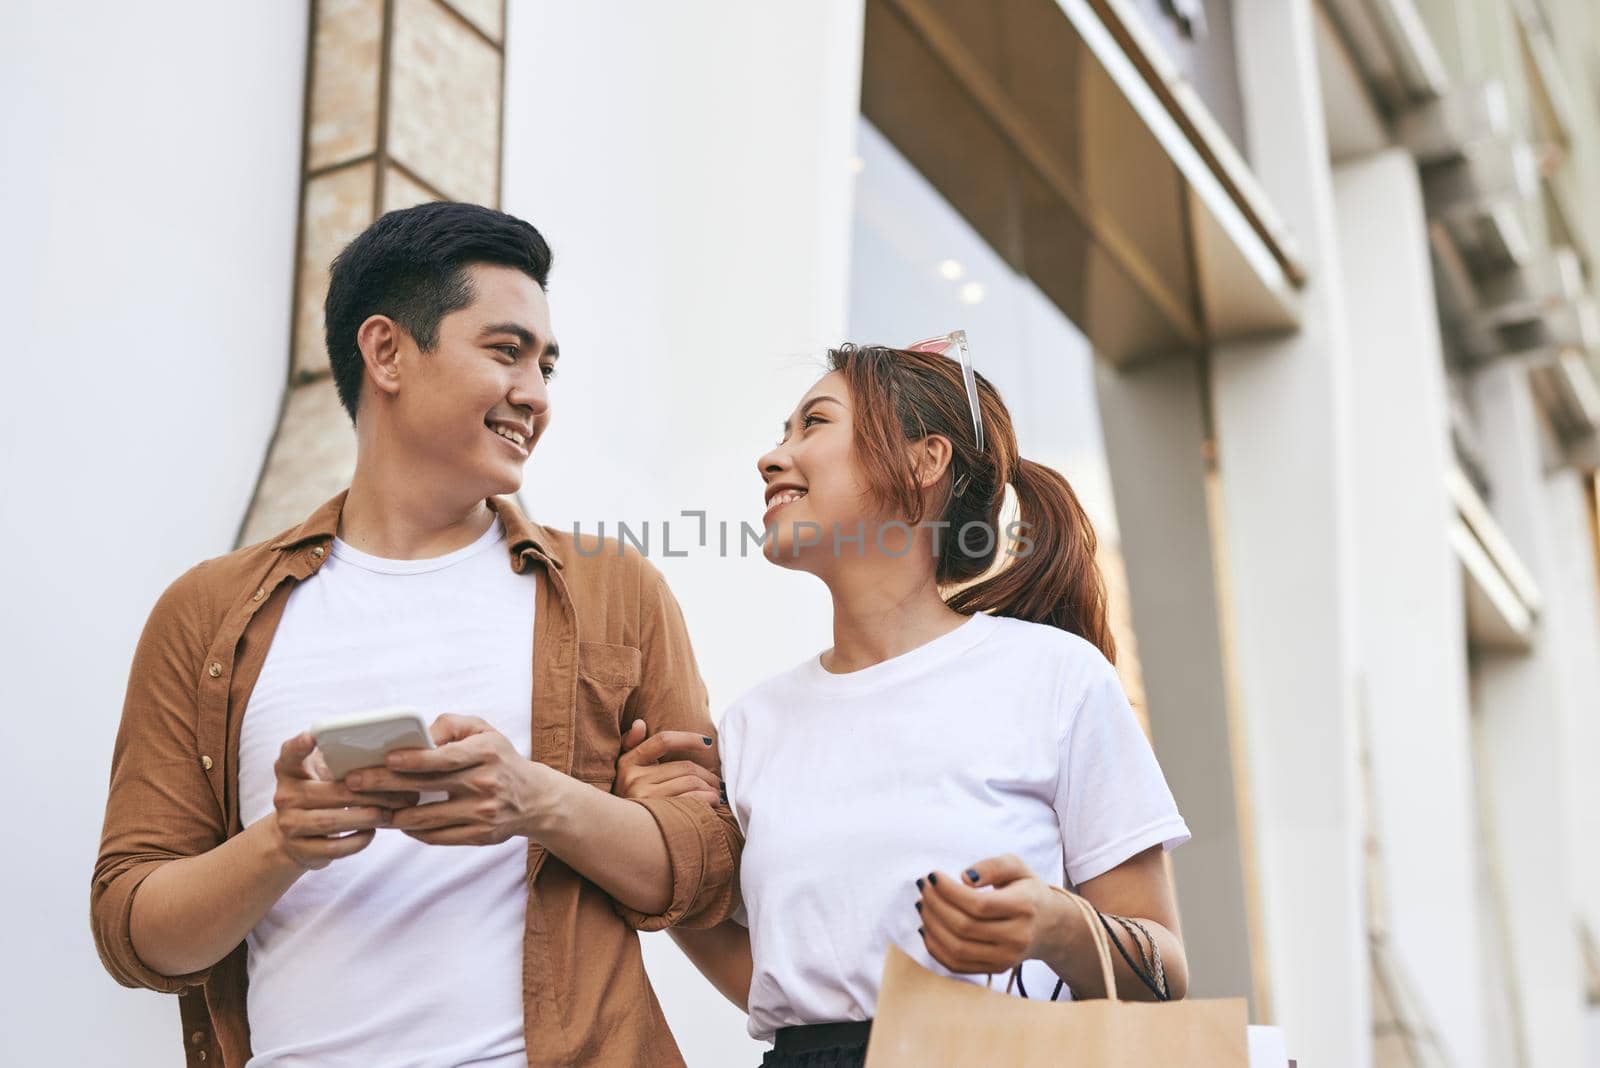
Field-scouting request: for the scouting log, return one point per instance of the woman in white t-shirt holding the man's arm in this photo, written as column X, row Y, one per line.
column 962, row 747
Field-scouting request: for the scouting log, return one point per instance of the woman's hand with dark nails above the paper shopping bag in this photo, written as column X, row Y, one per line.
column 972, row 930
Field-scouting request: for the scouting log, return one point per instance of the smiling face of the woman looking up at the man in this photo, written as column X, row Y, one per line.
column 814, row 485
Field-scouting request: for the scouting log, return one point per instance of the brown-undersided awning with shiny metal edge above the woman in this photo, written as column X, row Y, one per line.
column 1066, row 138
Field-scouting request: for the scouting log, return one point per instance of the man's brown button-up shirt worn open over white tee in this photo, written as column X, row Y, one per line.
column 609, row 647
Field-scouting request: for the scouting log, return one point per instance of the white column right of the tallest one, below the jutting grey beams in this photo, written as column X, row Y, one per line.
column 1412, row 640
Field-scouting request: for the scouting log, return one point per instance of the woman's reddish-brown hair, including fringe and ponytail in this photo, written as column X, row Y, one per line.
column 902, row 396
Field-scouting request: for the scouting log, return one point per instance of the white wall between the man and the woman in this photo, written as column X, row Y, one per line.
column 690, row 167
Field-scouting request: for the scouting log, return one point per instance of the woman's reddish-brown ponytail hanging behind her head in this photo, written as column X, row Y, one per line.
column 1054, row 576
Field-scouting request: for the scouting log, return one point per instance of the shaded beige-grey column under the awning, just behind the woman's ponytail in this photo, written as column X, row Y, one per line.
column 1153, row 418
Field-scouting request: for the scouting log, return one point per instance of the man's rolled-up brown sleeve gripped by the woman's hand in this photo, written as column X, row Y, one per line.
column 703, row 840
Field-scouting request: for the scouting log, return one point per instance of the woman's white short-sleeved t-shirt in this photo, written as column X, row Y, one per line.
column 999, row 738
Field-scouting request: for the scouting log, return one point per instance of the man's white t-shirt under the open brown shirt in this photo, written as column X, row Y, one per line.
column 402, row 955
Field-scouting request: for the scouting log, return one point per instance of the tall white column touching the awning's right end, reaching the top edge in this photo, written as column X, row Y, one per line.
column 1284, row 447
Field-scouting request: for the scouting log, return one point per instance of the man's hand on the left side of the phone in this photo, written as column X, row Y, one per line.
column 319, row 819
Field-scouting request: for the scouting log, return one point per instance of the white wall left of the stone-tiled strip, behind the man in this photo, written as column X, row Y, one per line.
column 150, row 197
